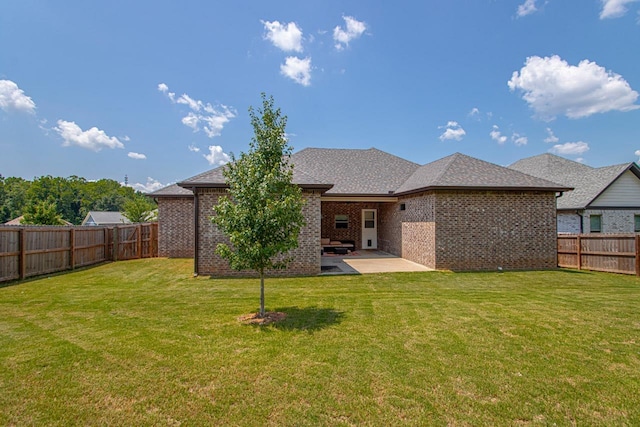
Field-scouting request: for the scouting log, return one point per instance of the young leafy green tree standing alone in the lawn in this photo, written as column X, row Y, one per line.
column 262, row 216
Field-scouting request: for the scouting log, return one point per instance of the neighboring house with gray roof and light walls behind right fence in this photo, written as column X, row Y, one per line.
column 604, row 200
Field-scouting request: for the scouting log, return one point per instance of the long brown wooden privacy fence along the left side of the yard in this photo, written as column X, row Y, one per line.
column 32, row 251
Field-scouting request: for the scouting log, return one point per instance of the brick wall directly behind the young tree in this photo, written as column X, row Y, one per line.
column 306, row 258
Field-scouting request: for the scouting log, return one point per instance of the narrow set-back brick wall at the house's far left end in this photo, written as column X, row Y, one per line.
column 175, row 227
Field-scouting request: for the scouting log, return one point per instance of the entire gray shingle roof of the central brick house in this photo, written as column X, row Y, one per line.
column 374, row 172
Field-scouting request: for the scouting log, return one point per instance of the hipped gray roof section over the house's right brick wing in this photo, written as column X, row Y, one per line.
column 461, row 171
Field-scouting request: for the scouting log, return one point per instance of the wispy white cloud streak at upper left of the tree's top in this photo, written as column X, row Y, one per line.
column 203, row 116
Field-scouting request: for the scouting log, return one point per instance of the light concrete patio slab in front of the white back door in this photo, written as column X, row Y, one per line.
column 367, row 261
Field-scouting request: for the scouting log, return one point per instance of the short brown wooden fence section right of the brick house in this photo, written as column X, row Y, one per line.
column 614, row 253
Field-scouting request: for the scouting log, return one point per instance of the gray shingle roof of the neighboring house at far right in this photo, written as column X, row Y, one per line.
column 588, row 182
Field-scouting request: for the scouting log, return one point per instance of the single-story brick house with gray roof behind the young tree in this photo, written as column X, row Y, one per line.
column 457, row 213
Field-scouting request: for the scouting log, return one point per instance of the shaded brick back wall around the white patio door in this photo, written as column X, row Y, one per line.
column 354, row 211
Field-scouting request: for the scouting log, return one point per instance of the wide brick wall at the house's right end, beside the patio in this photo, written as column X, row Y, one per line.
column 484, row 230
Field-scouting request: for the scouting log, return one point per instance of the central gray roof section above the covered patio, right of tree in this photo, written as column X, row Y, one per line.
column 352, row 171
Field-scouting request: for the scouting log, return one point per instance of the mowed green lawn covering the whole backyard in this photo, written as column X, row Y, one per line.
column 145, row 343
